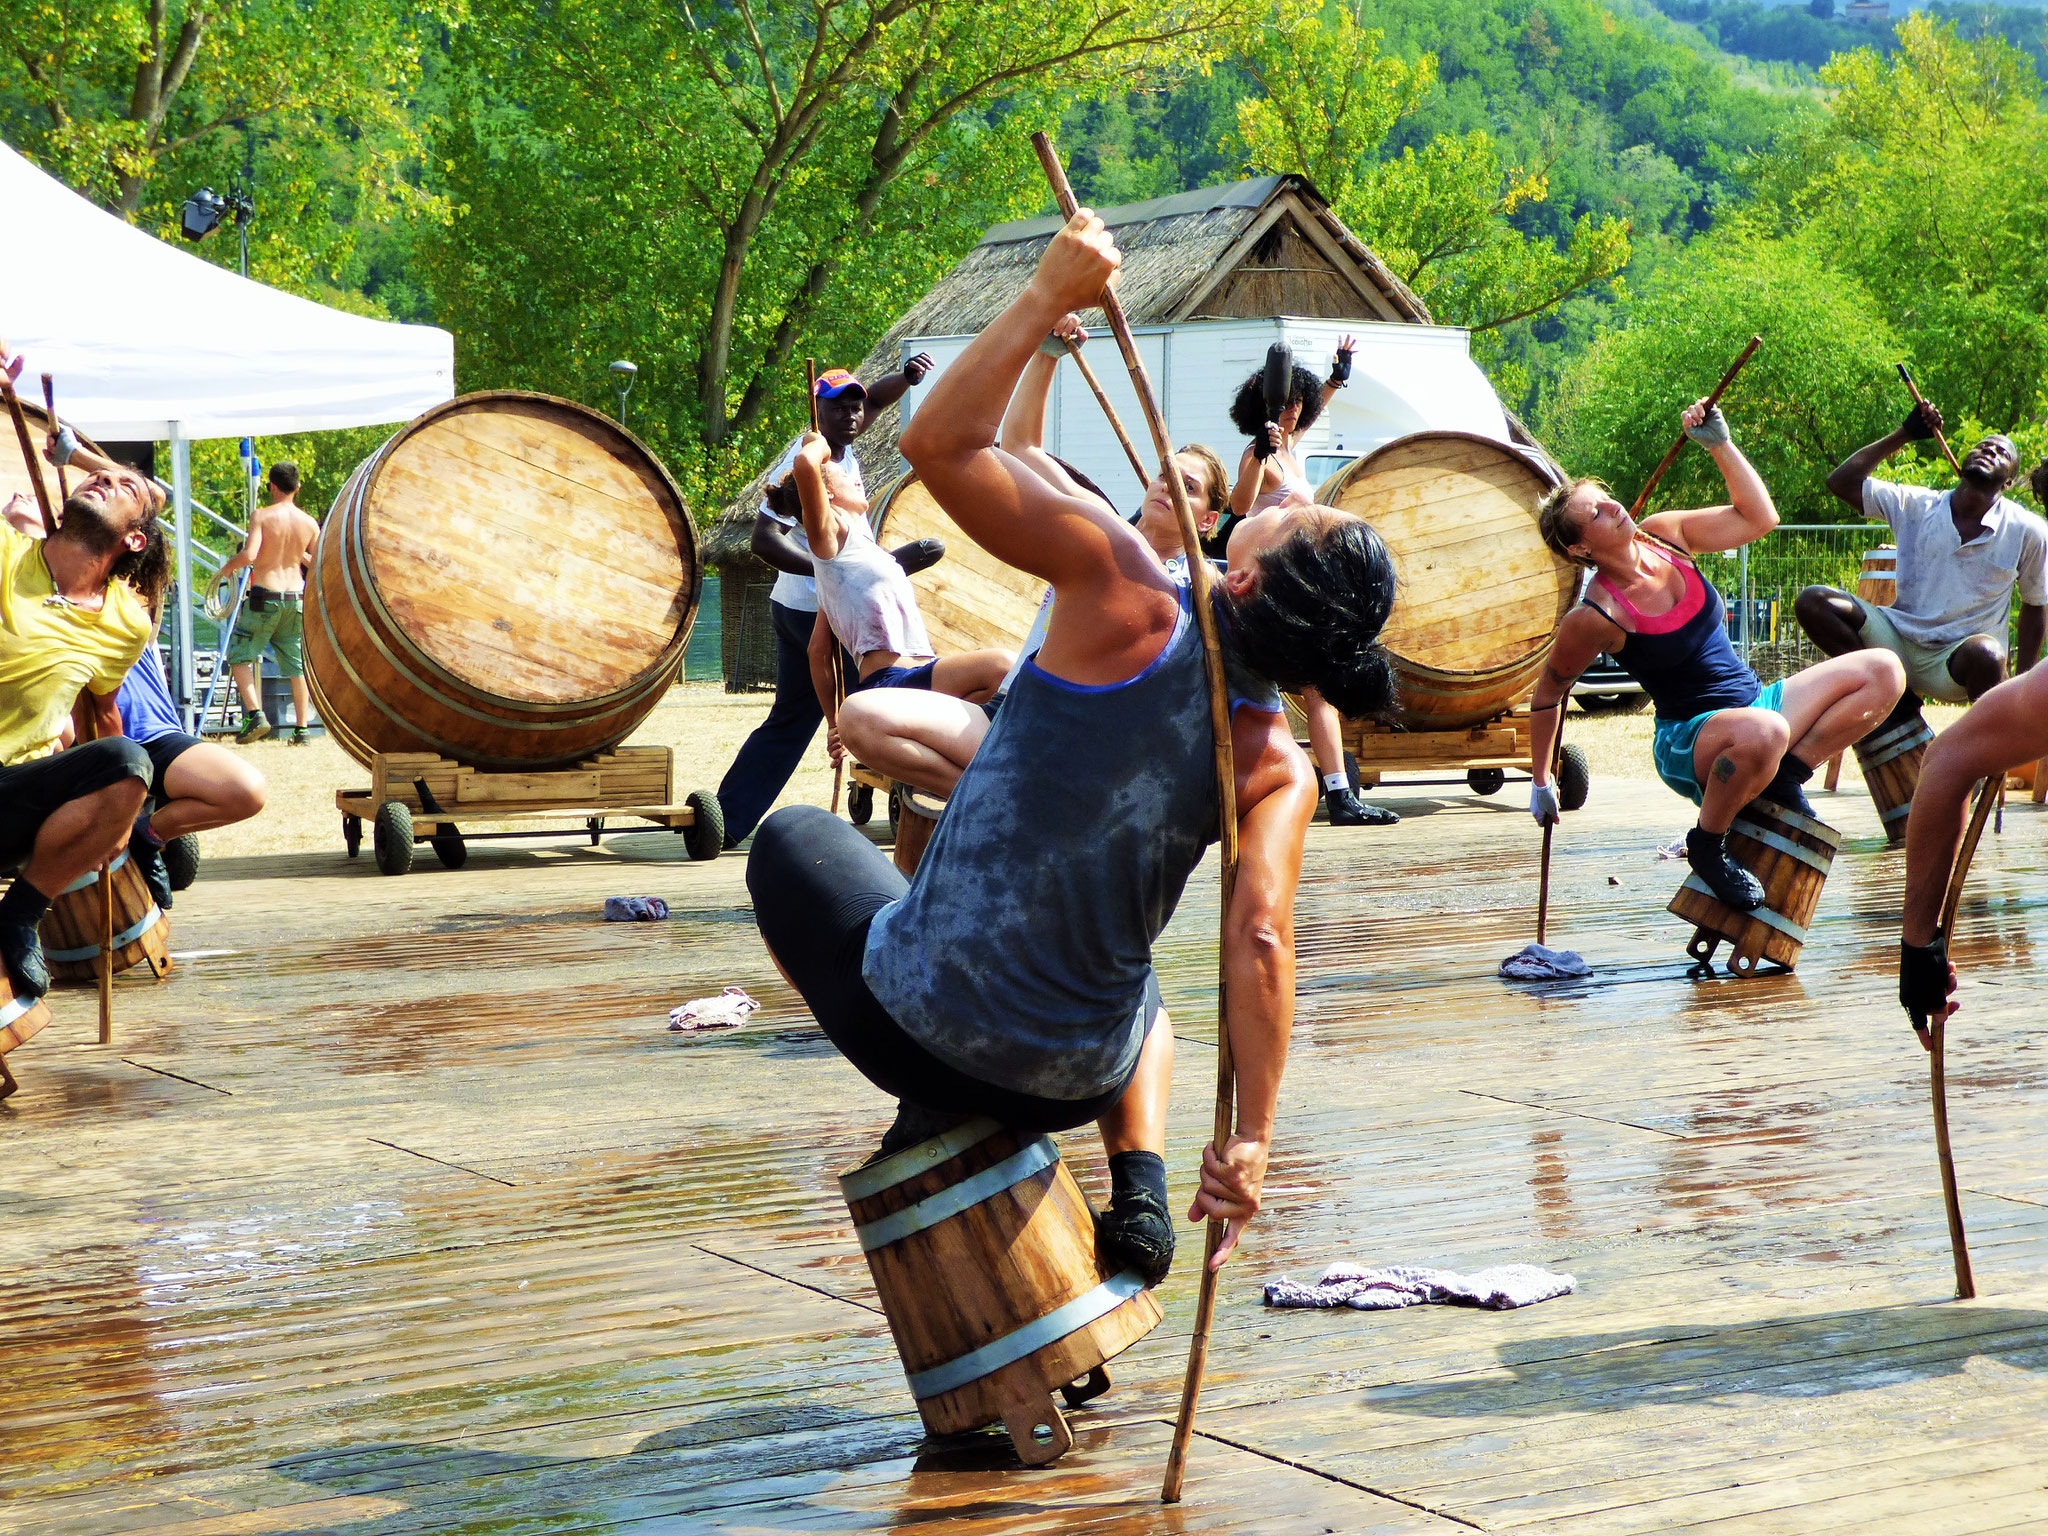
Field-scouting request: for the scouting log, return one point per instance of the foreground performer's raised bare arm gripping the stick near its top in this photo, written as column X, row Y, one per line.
column 1117, row 607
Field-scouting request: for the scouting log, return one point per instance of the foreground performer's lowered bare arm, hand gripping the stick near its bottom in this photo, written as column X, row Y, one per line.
column 1277, row 798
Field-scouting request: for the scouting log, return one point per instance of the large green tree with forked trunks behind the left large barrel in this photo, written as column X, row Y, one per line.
column 767, row 177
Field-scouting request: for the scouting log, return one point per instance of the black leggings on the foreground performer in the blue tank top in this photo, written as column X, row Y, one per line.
column 816, row 886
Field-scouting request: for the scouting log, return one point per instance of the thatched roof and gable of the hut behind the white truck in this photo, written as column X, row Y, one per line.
column 1254, row 249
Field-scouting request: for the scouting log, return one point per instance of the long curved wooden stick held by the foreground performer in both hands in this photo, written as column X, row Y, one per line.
column 1220, row 718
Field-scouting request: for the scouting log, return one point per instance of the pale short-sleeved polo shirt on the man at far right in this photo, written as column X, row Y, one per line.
column 1951, row 591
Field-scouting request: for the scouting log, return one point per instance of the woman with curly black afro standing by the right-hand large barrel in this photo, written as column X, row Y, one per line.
column 1271, row 480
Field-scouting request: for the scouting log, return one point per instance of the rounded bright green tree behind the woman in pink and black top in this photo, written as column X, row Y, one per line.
column 1820, row 388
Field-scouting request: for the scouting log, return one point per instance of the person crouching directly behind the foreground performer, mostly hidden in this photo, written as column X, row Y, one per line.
column 929, row 738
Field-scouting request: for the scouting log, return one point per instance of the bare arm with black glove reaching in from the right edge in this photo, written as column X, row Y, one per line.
column 2004, row 730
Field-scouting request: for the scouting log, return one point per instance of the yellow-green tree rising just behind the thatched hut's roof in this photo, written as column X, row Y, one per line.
column 1441, row 216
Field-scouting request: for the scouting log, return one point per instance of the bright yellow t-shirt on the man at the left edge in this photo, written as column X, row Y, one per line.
column 52, row 650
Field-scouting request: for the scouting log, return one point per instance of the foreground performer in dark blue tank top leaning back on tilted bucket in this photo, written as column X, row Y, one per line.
column 1013, row 976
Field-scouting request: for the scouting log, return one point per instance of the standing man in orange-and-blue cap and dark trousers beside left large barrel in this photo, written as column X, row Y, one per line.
column 771, row 755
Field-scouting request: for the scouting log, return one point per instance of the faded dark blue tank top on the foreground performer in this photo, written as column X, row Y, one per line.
column 1023, row 947
